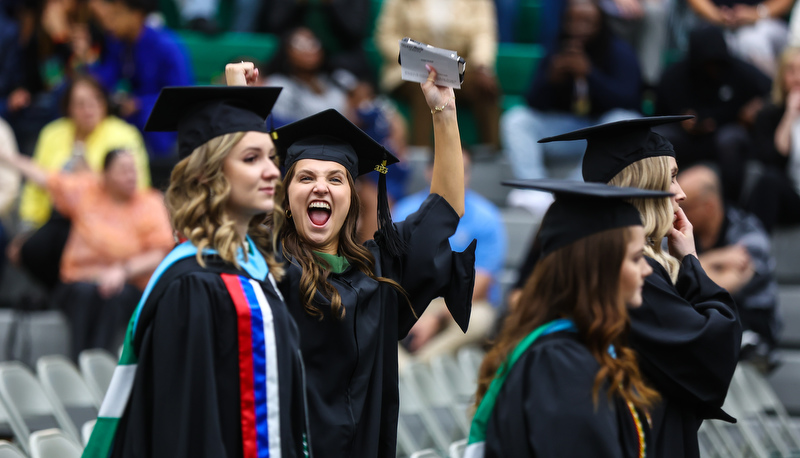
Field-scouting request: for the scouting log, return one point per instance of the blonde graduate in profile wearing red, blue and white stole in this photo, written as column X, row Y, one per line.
column 211, row 365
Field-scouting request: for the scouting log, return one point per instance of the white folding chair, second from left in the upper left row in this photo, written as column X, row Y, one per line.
column 65, row 385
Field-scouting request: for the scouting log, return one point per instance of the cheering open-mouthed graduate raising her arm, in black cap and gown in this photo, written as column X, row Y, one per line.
column 353, row 302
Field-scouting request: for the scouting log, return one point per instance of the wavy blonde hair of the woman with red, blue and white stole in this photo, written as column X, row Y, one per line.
column 196, row 198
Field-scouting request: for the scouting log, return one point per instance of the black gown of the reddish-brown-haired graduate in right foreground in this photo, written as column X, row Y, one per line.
column 545, row 408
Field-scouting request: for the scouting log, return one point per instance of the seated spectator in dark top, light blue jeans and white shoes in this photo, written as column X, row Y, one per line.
column 588, row 77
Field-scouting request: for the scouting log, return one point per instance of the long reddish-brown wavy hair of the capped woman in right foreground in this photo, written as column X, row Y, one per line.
column 579, row 281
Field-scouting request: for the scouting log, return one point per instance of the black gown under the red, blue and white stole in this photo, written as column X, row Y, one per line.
column 185, row 398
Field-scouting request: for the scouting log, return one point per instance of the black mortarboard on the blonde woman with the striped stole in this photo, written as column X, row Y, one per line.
column 200, row 113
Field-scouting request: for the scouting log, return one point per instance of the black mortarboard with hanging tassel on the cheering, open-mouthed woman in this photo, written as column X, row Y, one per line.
column 329, row 136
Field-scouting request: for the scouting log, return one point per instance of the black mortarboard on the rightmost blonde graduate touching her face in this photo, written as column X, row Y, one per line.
column 613, row 146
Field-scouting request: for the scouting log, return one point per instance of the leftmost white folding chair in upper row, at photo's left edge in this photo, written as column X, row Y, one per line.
column 28, row 407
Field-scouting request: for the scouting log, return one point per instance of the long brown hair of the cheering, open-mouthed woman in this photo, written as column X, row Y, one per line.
column 315, row 269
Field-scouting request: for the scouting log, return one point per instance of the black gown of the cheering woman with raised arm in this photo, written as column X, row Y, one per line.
column 351, row 364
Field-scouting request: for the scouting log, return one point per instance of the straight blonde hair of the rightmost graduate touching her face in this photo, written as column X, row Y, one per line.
column 652, row 173
